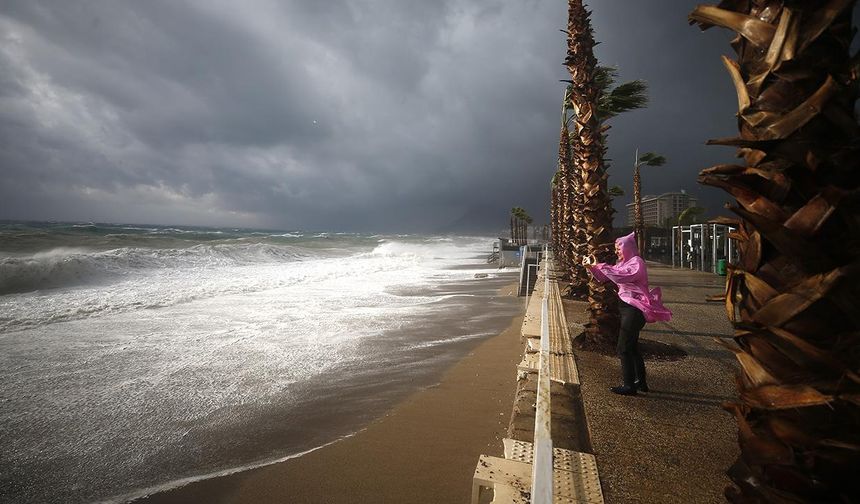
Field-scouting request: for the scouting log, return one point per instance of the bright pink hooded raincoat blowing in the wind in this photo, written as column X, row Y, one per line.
column 631, row 275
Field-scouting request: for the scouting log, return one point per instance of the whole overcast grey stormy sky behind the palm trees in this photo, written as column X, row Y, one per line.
column 376, row 115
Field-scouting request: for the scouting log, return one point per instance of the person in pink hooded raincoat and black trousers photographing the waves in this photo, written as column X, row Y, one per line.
column 638, row 306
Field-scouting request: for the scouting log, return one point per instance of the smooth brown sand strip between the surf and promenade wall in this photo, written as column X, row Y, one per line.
column 422, row 450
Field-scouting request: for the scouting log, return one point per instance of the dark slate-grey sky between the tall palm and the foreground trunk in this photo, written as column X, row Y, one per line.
column 691, row 97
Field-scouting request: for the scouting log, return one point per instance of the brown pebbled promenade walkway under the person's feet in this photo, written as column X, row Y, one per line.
column 675, row 443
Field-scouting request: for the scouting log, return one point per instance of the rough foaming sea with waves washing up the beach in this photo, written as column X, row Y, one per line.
column 137, row 358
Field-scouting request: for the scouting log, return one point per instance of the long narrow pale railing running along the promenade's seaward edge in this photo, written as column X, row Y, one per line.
column 542, row 463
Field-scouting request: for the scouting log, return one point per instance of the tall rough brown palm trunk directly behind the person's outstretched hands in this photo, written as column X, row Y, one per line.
column 602, row 329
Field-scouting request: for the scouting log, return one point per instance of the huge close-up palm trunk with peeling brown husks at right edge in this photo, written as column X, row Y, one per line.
column 793, row 297
